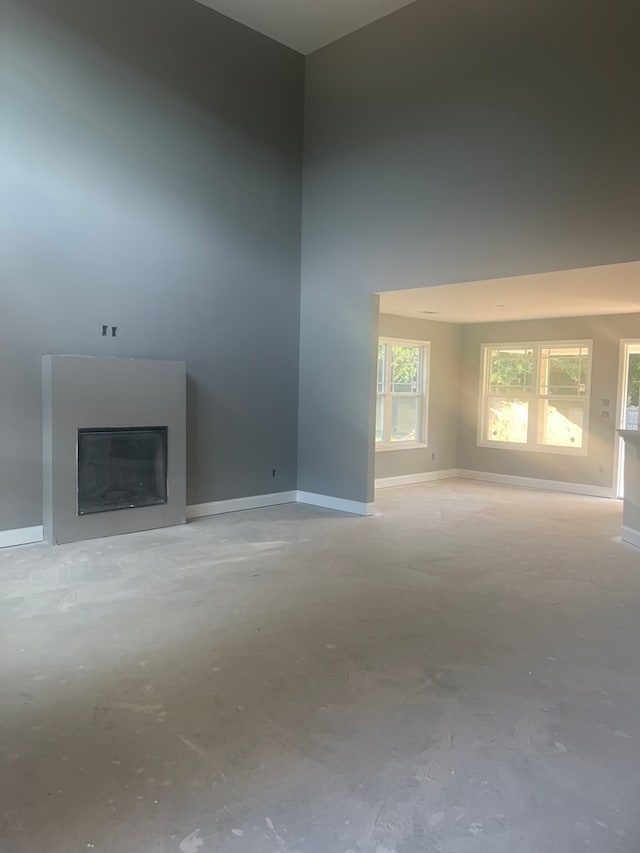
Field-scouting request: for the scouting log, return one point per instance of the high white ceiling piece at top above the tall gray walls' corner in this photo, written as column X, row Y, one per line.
column 305, row 25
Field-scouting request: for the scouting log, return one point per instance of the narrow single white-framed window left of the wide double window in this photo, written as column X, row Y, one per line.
column 401, row 410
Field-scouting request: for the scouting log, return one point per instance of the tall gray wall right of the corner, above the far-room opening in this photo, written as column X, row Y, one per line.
column 448, row 142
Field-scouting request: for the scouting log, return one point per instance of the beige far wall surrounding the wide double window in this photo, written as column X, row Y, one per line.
column 597, row 467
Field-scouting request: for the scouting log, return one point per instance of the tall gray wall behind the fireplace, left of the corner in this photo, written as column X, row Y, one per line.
column 151, row 179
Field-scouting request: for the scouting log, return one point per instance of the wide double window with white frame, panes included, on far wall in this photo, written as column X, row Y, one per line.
column 535, row 396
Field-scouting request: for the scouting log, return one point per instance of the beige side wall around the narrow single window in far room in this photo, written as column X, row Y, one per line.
column 443, row 392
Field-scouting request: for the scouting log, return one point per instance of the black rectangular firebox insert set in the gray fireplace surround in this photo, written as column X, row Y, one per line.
column 121, row 468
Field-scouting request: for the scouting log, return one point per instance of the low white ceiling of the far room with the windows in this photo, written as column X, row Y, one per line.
column 613, row 289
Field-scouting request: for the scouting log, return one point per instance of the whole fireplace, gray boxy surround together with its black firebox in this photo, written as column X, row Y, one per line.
column 114, row 446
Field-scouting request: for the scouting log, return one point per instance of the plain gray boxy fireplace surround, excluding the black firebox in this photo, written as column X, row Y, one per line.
column 84, row 392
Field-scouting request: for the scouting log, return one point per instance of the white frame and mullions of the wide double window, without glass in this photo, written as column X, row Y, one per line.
column 535, row 398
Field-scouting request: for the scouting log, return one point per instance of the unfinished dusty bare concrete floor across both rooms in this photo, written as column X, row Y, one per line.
column 460, row 672
